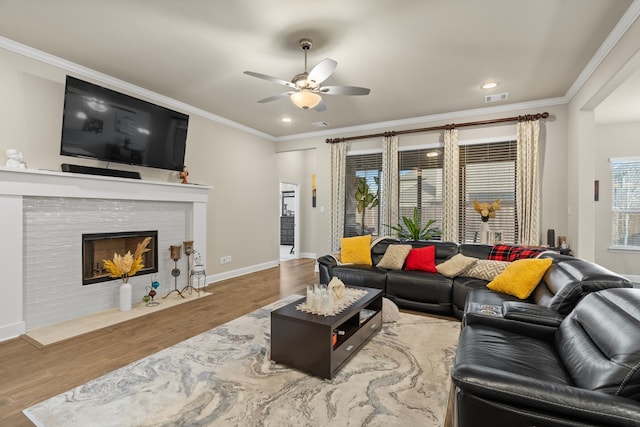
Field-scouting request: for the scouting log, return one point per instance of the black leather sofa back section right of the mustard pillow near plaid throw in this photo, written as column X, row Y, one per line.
column 569, row 279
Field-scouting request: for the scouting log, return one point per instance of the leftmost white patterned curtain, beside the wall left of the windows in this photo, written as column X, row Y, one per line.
column 338, row 172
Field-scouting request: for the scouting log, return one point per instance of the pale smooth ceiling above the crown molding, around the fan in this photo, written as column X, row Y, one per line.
column 418, row 57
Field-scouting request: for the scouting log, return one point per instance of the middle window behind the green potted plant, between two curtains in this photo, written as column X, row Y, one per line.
column 420, row 184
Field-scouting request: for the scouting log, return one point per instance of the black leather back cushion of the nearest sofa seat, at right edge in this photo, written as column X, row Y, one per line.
column 599, row 342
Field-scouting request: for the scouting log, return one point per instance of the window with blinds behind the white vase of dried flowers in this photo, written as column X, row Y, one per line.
column 488, row 172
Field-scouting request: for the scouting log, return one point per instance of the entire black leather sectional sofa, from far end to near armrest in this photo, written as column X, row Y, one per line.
column 568, row 355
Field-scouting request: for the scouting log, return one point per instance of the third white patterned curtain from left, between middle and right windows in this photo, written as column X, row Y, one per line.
column 451, row 186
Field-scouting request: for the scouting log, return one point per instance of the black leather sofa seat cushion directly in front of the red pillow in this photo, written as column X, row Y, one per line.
column 419, row 286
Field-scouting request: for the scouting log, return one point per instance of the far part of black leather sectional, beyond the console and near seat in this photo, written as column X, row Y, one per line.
column 565, row 282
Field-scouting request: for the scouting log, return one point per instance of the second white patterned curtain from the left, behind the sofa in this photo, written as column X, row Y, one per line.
column 389, row 184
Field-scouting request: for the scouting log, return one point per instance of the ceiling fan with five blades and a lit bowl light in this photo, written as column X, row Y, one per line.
column 306, row 87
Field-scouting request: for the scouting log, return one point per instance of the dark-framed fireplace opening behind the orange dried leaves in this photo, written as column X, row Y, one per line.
column 97, row 247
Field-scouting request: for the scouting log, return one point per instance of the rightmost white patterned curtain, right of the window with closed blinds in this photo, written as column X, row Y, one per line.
column 528, row 183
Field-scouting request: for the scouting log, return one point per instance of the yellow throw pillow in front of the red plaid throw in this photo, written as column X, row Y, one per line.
column 520, row 277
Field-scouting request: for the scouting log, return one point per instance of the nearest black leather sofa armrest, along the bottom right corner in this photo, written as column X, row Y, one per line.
column 553, row 399
